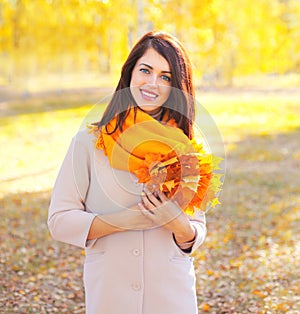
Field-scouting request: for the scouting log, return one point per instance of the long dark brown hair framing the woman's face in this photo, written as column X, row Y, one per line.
column 180, row 104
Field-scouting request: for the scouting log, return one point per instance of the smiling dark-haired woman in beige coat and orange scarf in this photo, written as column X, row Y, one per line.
column 137, row 240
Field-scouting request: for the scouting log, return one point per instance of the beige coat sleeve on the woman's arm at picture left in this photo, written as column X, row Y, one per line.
column 68, row 221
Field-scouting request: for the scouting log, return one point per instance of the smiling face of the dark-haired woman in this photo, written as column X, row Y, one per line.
column 150, row 83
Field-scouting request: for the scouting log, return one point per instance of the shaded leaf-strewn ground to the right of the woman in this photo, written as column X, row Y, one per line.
column 250, row 262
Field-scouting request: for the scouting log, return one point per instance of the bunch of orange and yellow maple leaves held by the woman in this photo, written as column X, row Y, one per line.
column 189, row 179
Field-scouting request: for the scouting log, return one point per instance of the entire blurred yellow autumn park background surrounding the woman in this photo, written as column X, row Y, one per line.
column 60, row 57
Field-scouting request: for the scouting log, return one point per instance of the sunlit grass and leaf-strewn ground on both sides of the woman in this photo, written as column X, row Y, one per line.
column 251, row 258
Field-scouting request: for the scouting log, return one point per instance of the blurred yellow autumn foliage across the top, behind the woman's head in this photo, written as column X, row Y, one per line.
column 224, row 38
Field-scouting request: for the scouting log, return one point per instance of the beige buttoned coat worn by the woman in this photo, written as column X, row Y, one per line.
column 132, row 272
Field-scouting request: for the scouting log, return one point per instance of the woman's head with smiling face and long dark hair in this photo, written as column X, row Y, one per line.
column 165, row 56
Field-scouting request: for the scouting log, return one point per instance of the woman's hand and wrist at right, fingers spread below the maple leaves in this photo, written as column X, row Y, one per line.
column 163, row 212
